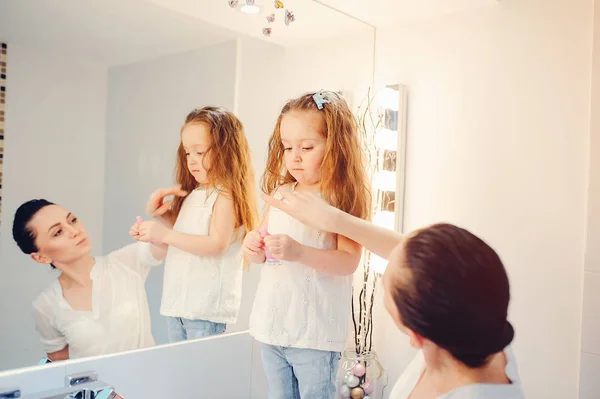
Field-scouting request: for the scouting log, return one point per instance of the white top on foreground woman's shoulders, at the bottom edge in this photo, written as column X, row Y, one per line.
column 411, row 375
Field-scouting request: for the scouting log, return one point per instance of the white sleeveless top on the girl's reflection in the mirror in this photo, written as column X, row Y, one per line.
column 202, row 287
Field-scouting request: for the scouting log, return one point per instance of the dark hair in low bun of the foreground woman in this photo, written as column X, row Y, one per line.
column 455, row 293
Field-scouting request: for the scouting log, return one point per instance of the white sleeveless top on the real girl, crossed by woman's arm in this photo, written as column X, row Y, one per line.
column 295, row 305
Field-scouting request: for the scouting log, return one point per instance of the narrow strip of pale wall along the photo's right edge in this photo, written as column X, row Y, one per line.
column 589, row 387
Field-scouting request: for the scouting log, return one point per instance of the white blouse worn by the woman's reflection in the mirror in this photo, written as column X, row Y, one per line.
column 120, row 318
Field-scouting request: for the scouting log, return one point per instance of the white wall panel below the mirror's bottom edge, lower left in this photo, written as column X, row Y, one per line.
column 215, row 367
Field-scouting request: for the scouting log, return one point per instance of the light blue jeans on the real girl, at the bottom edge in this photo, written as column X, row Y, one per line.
column 294, row 373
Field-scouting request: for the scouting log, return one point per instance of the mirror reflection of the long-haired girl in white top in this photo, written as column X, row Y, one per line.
column 214, row 205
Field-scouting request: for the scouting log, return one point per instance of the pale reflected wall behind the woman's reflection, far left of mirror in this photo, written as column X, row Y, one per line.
column 53, row 149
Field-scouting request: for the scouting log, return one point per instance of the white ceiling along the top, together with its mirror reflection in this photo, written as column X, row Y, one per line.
column 114, row 32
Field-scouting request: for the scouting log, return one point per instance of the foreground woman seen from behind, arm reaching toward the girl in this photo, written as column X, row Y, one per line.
column 448, row 291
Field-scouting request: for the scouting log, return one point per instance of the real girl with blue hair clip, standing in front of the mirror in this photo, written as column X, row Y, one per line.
column 301, row 312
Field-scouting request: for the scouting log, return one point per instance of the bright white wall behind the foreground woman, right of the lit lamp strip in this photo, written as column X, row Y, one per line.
column 498, row 143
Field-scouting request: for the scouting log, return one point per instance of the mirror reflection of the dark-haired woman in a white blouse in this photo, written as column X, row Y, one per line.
column 97, row 305
